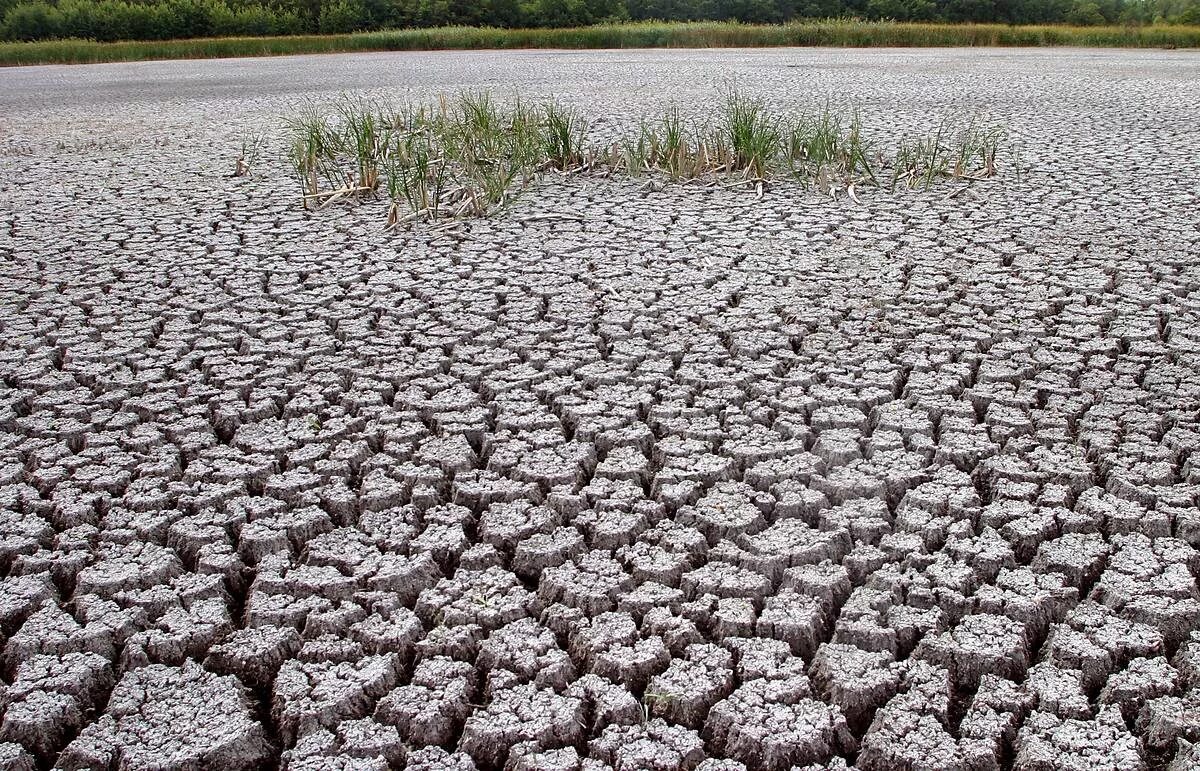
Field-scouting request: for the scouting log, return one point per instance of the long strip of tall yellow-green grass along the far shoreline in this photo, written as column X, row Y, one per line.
column 643, row 35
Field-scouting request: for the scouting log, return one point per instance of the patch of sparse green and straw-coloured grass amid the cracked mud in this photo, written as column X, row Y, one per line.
column 471, row 156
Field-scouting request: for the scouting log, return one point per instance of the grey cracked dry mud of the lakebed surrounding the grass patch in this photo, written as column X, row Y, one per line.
column 704, row 482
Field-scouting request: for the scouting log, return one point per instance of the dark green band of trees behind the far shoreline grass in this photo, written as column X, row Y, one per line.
column 167, row 20
